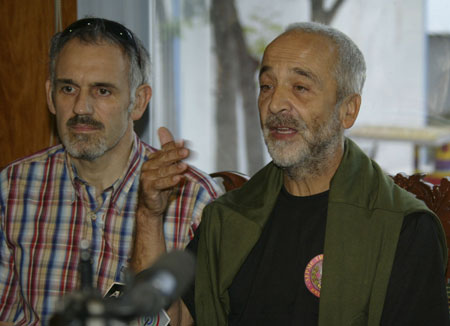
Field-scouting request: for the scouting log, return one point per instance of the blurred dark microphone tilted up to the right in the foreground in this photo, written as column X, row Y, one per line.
column 154, row 288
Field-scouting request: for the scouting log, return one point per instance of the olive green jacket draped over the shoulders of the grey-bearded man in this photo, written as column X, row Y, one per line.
column 365, row 215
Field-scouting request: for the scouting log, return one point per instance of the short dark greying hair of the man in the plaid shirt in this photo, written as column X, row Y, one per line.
column 93, row 30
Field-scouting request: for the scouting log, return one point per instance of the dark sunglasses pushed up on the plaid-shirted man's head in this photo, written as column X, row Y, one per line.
column 118, row 30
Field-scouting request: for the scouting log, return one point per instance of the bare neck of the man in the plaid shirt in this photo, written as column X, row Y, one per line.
column 106, row 169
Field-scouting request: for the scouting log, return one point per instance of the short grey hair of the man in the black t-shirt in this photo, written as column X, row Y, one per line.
column 350, row 69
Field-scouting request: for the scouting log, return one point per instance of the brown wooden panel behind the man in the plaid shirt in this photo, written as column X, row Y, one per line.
column 26, row 125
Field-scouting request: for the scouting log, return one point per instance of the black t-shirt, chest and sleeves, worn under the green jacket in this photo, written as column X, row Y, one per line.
column 269, row 289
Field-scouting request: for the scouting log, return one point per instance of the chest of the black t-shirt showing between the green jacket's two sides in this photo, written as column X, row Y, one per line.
column 269, row 289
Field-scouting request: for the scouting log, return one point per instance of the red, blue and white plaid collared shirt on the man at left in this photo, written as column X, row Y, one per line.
column 46, row 210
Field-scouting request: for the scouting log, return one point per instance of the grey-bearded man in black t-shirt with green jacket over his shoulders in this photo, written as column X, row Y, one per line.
column 320, row 236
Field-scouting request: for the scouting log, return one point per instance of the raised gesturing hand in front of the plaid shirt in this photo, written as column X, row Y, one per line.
column 161, row 173
